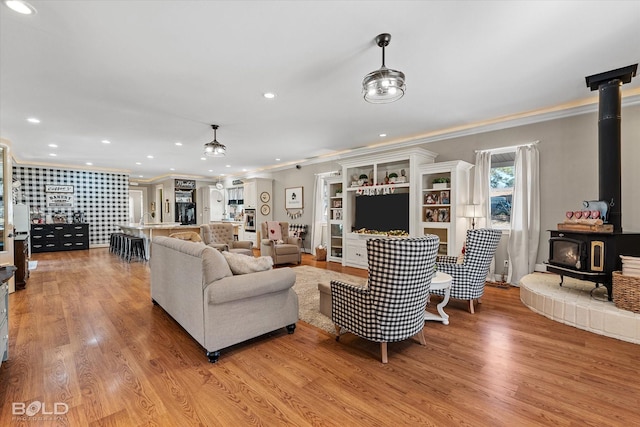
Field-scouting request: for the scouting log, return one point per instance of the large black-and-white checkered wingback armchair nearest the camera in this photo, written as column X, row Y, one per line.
column 391, row 307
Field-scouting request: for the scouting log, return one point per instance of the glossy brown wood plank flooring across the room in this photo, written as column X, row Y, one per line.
column 84, row 332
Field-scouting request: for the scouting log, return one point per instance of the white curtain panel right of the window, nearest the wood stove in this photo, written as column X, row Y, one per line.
column 525, row 214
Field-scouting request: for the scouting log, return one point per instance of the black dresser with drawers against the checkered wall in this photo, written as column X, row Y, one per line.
column 59, row 237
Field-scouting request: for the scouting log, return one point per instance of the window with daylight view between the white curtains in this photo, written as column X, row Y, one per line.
column 501, row 180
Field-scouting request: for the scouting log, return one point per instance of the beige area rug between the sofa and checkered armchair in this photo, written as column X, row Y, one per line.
column 306, row 287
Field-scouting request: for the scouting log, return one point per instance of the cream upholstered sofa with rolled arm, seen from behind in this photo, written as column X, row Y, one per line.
column 193, row 283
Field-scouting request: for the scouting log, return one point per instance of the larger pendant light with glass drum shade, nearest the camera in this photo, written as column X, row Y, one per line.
column 383, row 85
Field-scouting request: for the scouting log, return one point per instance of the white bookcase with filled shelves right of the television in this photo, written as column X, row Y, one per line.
column 441, row 205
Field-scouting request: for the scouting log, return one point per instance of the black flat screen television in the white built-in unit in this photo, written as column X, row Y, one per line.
column 383, row 212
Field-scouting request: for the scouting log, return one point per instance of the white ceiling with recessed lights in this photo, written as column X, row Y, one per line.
column 147, row 74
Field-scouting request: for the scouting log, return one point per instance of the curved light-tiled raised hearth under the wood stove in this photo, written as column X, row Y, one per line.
column 573, row 305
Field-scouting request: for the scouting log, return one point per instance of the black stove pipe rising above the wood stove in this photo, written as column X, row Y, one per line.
column 609, row 85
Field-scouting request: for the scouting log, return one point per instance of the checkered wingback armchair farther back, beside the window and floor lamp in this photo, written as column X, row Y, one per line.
column 470, row 276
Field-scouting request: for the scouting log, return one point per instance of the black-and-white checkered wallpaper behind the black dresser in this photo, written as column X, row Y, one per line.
column 102, row 197
